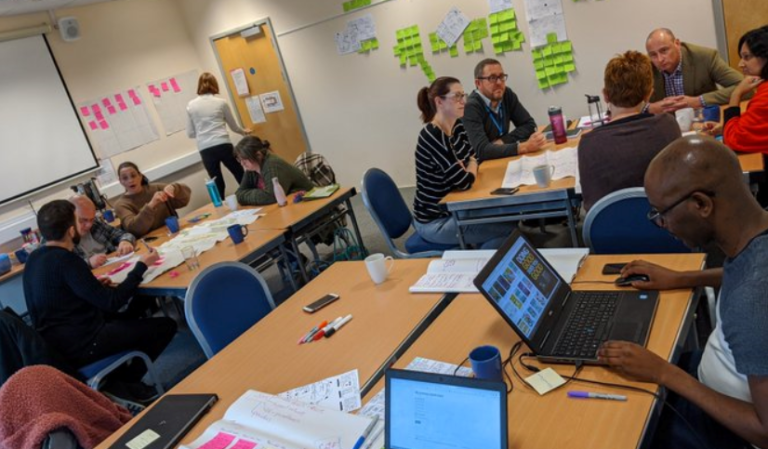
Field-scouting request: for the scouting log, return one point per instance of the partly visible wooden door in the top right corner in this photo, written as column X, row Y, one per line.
column 741, row 16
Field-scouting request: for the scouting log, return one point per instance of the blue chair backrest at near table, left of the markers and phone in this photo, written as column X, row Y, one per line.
column 224, row 301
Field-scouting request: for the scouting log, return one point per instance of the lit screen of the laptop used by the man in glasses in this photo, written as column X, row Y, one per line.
column 522, row 285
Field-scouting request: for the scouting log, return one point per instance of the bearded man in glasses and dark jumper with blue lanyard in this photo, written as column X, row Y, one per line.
column 488, row 112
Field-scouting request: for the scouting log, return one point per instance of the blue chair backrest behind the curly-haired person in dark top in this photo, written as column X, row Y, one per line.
column 617, row 224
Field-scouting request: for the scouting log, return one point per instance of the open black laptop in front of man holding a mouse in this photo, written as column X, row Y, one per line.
column 558, row 324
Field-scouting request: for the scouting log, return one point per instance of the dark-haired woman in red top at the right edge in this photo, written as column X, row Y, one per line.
column 749, row 132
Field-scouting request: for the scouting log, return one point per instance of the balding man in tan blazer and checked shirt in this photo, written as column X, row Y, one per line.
column 686, row 75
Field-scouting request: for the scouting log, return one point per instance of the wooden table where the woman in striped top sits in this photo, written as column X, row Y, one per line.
column 478, row 206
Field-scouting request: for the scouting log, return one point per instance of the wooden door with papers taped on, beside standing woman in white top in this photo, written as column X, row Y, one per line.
column 257, row 56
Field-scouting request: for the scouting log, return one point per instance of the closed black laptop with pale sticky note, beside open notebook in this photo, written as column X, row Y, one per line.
column 166, row 422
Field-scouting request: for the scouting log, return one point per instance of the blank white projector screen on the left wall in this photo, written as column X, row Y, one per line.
column 42, row 141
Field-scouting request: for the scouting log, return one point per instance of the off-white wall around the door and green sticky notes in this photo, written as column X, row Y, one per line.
column 359, row 110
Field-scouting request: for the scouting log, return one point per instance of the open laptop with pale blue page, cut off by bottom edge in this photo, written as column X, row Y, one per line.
column 438, row 411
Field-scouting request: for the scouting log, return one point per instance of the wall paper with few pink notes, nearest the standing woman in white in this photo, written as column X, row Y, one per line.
column 171, row 96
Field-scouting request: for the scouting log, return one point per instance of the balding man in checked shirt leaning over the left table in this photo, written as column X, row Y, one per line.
column 97, row 238
